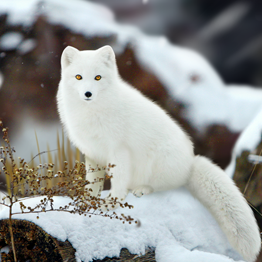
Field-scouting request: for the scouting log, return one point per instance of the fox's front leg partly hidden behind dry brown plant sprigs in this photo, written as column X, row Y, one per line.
column 94, row 177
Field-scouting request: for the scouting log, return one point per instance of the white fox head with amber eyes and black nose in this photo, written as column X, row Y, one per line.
column 88, row 73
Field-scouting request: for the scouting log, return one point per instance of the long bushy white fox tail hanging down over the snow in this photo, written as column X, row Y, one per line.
column 218, row 193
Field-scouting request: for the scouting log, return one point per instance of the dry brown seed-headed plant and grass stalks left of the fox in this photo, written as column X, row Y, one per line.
column 25, row 181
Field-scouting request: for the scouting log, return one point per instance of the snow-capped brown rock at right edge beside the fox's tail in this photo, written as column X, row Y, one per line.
column 246, row 163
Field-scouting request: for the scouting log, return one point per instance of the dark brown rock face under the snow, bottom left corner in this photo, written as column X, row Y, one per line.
column 33, row 243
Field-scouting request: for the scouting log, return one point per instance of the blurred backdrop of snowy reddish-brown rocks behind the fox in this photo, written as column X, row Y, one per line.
column 201, row 60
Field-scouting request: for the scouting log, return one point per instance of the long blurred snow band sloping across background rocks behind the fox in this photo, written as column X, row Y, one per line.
column 208, row 99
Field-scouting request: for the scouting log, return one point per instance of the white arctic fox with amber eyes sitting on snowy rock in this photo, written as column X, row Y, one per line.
column 112, row 122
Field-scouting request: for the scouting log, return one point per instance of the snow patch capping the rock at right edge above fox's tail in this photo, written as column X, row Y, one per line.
column 248, row 140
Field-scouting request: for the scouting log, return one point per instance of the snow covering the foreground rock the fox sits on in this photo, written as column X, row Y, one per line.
column 173, row 222
